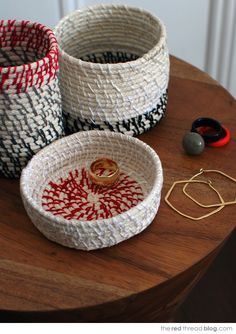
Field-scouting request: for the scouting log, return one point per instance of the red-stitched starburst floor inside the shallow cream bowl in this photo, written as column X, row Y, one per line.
column 76, row 197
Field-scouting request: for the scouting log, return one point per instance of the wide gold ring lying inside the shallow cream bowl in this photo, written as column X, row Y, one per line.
column 104, row 172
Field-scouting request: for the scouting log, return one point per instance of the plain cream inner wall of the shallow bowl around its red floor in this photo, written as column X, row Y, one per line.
column 51, row 167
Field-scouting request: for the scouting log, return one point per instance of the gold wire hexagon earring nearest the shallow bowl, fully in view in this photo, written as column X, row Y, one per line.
column 188, row 216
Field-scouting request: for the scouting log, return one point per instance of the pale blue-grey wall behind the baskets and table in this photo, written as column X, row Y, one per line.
column 202, row 32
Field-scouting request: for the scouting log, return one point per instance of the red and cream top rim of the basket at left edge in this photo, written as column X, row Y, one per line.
column 52, row 51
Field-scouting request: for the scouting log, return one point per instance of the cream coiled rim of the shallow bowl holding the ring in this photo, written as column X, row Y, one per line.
column 156, row 186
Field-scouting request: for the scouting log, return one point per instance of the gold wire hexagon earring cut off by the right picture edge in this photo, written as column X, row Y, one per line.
column 209, row 205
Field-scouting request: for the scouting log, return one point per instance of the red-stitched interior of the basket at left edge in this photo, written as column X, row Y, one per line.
column 22, row 43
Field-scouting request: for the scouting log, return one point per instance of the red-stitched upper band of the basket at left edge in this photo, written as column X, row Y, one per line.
column 37, row 37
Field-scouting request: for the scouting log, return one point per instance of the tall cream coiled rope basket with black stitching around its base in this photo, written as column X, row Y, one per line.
column 114, row 69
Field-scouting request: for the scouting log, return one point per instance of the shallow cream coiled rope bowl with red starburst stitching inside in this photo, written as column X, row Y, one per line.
column 68, row 209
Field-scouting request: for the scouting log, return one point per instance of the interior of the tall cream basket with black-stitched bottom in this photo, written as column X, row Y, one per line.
column 109, row 35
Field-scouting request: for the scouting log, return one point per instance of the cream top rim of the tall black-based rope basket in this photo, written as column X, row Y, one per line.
column 113, row 66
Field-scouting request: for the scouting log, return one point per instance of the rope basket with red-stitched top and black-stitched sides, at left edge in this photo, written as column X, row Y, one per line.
column 30, row 100
